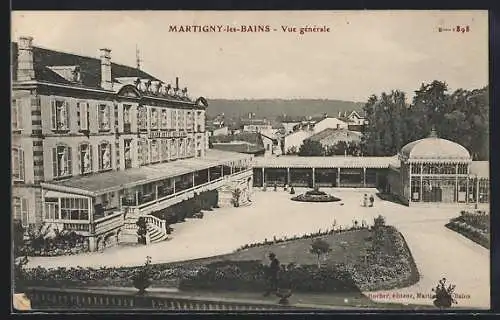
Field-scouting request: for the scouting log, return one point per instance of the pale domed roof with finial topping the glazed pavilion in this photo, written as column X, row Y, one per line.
column 434, row 148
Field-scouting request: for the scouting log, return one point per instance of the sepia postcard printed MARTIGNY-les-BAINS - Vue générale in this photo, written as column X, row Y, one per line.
column 250, row 161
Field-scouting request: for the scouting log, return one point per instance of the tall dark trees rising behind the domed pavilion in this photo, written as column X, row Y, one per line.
column 461, row 116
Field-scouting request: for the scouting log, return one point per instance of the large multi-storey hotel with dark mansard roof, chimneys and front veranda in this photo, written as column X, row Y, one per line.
column 96, row 144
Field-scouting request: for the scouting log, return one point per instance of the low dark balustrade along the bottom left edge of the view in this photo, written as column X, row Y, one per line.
column 74, row 299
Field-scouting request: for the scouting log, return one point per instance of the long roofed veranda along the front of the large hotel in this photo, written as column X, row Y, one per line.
column 84, row 204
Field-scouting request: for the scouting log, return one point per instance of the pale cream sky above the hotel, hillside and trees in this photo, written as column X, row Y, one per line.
column 364, row 52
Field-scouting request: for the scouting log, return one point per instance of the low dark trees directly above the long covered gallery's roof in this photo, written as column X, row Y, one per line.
column 315, row 148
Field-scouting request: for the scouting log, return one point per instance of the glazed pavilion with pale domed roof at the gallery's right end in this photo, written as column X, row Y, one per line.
column 433, row 170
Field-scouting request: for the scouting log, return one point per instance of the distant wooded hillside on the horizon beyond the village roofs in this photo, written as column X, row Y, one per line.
column 271, row 108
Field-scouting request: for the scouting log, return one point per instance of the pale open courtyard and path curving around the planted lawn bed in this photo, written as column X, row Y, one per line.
column 438, row 252
